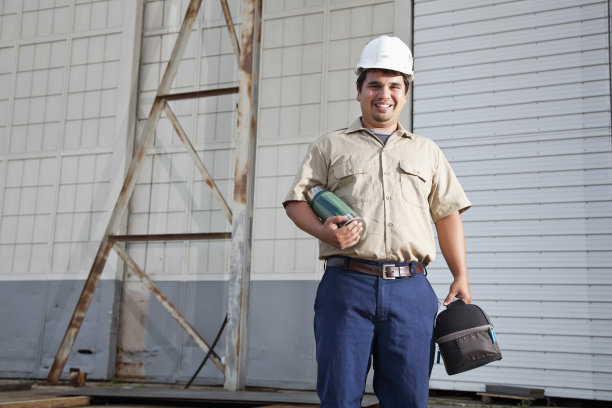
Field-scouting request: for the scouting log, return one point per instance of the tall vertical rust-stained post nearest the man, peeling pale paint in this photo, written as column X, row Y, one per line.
column 236, row 345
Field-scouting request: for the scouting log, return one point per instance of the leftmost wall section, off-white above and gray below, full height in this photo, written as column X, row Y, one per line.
column 66, row 121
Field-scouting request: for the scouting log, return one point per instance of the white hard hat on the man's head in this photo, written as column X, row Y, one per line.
column 387, row 52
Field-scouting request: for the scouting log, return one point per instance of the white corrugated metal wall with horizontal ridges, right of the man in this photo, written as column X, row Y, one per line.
column 517, row 94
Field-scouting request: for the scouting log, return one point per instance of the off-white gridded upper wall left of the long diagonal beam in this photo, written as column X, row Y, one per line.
column 64, row 126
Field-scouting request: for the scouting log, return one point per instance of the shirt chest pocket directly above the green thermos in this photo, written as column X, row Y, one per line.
column 353, row 180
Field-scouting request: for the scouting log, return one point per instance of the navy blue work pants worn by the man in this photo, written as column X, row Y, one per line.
column 359, row 316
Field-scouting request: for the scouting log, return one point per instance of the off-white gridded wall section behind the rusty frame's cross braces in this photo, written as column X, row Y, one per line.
column 170, row 195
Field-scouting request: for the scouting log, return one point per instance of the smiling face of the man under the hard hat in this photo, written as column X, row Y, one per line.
column 382, row 98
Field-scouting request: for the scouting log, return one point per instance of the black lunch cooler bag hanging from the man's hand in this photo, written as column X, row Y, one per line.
column 465, row 337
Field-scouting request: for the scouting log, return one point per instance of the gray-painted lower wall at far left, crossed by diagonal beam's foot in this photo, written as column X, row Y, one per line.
column 29, row 351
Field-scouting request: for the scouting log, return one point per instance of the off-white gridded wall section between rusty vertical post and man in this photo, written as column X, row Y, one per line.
column 309, row 52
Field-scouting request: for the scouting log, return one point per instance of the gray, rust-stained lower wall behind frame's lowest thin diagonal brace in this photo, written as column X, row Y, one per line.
column 153, row 347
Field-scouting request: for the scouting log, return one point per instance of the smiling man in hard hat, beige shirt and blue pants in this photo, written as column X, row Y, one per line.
column 374, row 299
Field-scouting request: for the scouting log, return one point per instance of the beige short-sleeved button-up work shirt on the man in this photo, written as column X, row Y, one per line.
column 394, row 188
